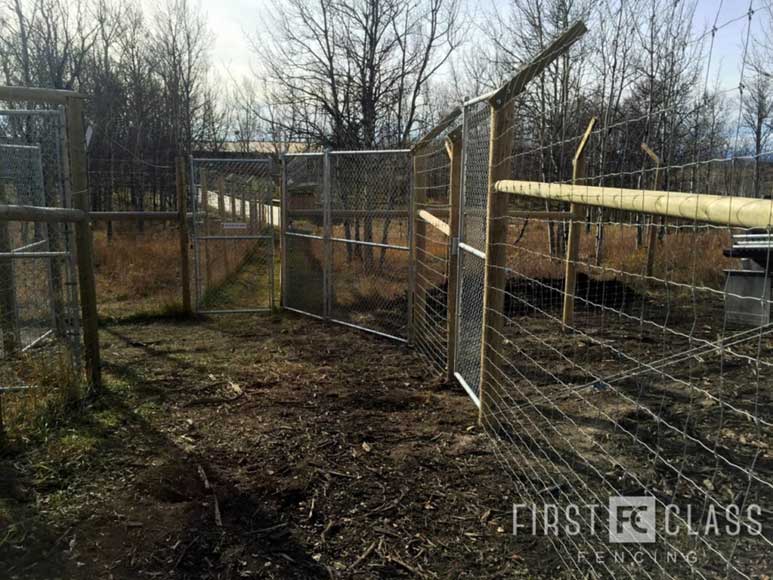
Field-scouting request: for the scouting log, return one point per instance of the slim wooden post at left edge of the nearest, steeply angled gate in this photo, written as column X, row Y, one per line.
column 454, row 145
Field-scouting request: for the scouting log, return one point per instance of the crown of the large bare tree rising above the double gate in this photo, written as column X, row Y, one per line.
column 353, row 74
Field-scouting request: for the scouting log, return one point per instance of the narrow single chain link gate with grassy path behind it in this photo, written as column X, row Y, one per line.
column 233, row 235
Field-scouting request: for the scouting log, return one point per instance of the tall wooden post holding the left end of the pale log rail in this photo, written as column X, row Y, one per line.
column 500, row 147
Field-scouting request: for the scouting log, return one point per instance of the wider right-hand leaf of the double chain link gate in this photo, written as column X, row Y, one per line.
column 369, row 237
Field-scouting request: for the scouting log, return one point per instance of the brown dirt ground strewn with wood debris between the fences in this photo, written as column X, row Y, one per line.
column 329, row 454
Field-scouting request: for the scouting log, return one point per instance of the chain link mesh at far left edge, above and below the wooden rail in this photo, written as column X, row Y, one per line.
column 40, row 353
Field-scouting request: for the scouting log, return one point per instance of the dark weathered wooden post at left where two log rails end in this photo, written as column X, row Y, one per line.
column 84, row 240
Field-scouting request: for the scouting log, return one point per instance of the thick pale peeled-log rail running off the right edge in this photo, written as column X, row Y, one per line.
column 714, row 209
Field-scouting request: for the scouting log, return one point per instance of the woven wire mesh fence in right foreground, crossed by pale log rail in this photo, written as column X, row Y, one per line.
column 626, row 338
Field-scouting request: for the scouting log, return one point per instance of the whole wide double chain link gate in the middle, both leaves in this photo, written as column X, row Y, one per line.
column 346, row 238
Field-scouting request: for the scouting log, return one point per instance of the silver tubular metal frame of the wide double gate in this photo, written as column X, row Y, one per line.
column 327, row 239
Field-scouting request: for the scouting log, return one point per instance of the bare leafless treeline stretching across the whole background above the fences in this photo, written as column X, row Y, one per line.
column 379, row 73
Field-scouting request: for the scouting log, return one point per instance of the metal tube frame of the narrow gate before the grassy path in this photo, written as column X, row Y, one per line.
column 200, row 237
